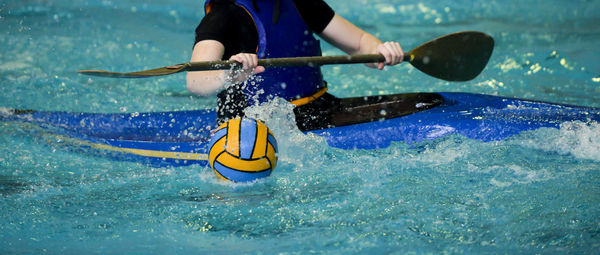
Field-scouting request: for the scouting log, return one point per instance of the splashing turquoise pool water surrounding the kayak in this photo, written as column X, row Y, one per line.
column 534, row 193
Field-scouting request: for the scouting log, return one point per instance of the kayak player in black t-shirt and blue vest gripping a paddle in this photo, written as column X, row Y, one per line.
column 247, row 30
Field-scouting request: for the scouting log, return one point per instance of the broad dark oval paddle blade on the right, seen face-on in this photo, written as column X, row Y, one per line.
column 455, row 57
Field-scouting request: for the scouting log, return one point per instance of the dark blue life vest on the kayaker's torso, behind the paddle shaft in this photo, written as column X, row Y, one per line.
column 288, row 37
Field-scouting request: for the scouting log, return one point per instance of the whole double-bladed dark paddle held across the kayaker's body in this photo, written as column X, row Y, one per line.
column 454, row 57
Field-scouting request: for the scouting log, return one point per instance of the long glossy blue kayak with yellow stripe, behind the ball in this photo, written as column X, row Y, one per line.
column 180, row 138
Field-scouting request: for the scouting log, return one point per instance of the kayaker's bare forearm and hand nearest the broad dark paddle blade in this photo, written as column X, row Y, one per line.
column 353, row 40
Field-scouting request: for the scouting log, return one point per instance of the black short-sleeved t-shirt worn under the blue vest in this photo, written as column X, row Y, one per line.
column 234, row 28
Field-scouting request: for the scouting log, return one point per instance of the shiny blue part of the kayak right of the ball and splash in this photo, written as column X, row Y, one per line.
column 475, row 116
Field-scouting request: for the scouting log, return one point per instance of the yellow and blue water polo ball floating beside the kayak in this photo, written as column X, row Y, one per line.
column 242, row 150
